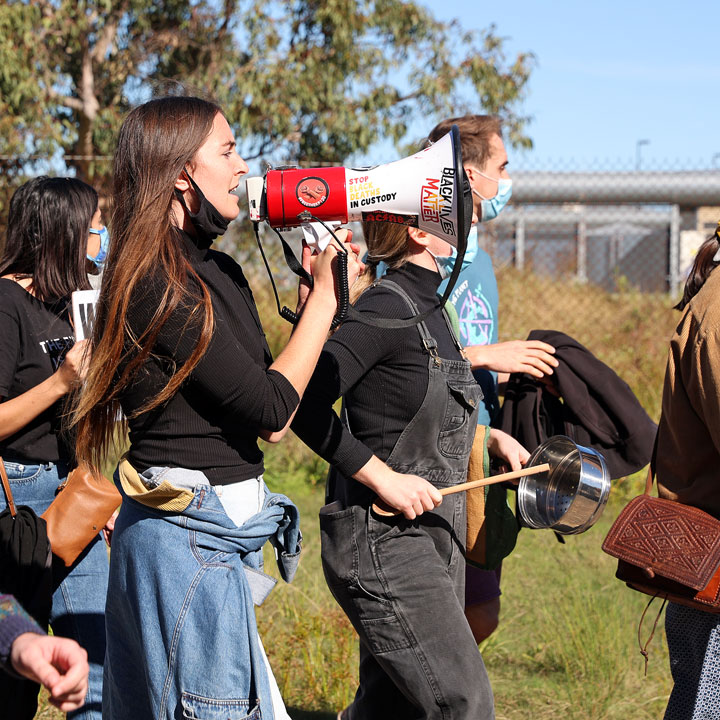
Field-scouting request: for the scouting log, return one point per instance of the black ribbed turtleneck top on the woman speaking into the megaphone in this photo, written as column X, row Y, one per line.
column 212, row 422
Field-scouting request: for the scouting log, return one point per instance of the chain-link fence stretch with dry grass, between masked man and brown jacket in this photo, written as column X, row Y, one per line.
column 602, row 256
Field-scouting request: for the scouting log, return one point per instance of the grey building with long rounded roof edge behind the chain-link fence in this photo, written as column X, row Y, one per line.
column 608, row 229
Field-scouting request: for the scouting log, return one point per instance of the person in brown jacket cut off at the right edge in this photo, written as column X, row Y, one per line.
column 687, row 467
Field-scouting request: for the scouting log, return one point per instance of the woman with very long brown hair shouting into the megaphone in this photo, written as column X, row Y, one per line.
column 179, row 347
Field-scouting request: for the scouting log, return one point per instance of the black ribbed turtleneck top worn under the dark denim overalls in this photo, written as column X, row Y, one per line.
column 382, row 374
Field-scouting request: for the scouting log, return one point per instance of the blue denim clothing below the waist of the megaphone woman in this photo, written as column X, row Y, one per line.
column 182, row 638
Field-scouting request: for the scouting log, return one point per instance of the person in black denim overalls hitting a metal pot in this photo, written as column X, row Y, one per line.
column 400, row 580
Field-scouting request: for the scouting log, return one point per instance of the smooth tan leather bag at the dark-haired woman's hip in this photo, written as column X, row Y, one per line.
column 82, row 506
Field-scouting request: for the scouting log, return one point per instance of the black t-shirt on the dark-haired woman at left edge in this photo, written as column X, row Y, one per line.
column 34, row 337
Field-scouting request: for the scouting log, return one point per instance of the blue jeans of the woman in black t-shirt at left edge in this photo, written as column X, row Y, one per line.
column 78, row 607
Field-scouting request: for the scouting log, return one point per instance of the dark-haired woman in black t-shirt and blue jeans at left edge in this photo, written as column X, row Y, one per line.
column 44, row 261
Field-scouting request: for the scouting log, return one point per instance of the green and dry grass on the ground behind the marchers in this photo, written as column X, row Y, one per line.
column 567, row 642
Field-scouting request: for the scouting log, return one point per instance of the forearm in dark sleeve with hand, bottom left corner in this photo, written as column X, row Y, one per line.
column 59, row 664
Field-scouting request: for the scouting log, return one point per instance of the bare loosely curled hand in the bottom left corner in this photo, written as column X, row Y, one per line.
column 59, row 664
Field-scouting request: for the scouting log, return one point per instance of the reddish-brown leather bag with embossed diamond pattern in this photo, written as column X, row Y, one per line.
column 668, row 550
